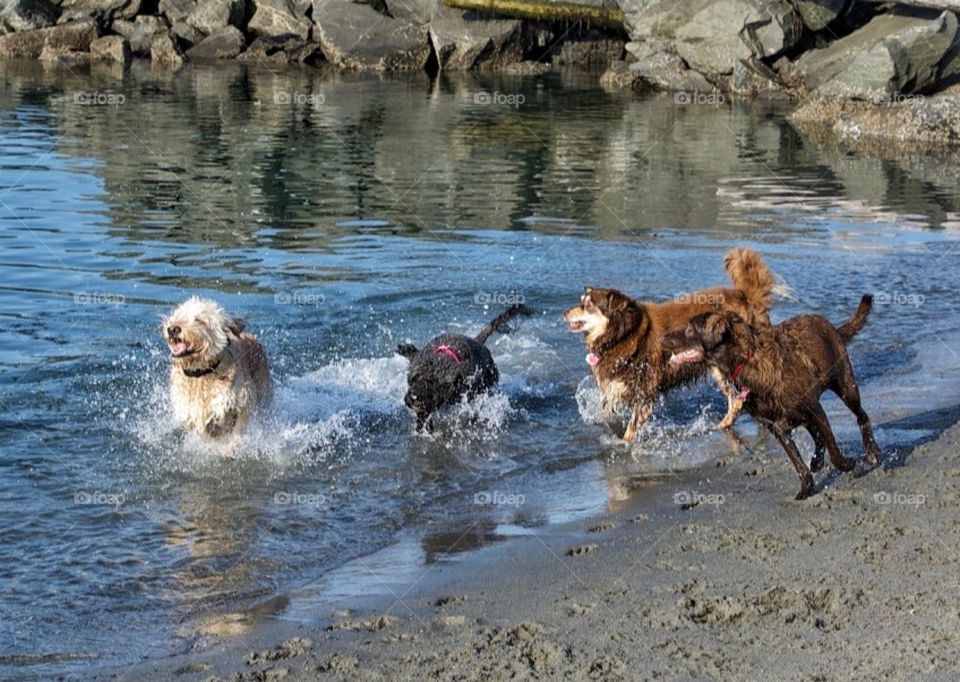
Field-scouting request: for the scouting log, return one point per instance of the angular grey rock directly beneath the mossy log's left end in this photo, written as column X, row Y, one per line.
column 462, row 44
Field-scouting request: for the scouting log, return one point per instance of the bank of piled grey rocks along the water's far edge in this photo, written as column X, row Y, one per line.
column 861, row 69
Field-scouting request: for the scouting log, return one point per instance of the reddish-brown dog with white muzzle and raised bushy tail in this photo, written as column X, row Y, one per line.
column 624, row 336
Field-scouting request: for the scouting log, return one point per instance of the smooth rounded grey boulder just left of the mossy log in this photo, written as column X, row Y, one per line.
column 386, row 44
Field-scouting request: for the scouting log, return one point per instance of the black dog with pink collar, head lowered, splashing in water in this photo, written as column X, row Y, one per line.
column 452, row 366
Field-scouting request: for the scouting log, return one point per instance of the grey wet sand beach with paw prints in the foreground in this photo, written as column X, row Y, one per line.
column 720, row 575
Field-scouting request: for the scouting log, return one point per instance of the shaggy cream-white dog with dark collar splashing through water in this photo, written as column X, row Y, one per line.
column 219, row 375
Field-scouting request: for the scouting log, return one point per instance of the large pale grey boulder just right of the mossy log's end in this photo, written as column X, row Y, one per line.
column 712, row 35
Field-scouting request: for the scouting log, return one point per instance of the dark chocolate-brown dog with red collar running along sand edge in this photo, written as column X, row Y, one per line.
column 781, row 372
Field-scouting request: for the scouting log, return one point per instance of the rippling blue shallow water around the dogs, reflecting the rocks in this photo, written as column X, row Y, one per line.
column 366, row 213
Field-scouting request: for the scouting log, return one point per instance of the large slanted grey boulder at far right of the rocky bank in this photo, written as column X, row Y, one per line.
column 891, row 54
